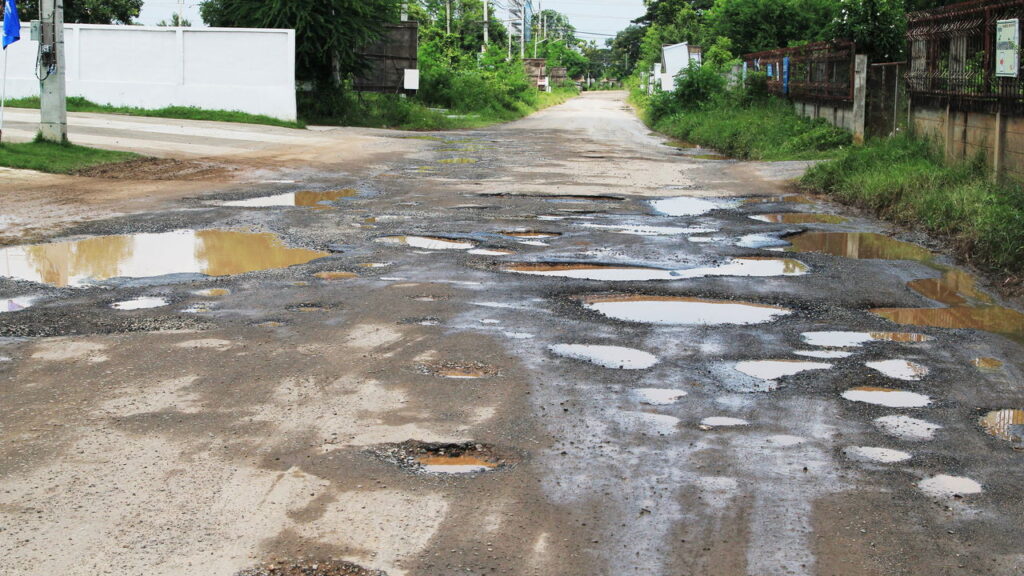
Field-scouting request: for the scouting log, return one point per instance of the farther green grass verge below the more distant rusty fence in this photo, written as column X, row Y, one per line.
column 762, row 131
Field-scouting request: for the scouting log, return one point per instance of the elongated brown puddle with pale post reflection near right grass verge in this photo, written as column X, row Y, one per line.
column 859, row 245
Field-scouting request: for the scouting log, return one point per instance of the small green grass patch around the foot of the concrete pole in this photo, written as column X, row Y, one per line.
column 58, row 158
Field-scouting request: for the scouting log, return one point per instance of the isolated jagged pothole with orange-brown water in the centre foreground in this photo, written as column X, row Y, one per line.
column 466, row 459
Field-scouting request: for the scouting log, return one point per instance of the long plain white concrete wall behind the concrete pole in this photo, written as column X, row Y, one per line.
column 244, row 70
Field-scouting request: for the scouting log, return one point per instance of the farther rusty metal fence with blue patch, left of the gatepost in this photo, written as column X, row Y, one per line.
column 822, row 72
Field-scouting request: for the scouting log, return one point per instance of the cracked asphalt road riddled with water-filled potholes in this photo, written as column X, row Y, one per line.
column 259, row 417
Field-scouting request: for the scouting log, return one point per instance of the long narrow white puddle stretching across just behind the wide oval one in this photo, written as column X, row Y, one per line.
column 737, row 268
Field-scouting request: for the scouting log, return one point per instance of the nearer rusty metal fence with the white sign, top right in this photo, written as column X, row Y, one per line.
column 953, row 58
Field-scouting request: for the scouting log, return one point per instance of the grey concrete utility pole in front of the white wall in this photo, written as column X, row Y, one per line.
column 53, row 94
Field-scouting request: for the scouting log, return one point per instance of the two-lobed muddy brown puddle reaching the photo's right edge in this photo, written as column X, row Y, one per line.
column 968, row 307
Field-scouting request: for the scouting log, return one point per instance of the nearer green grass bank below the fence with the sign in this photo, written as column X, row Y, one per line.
column 907, row 181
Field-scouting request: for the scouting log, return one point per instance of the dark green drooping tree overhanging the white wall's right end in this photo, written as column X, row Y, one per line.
column 329, row 34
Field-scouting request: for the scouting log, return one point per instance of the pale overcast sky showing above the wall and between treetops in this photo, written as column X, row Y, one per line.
column 601, row 18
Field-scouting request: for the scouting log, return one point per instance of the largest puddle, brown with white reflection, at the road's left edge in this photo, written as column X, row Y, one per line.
column 209, row 253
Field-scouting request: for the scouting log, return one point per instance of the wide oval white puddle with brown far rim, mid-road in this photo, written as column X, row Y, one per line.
column 682, row 312
